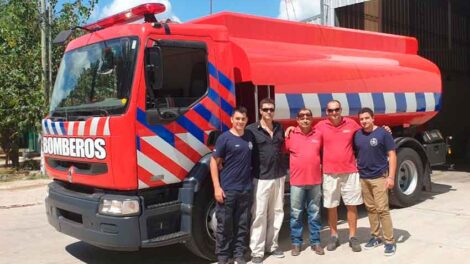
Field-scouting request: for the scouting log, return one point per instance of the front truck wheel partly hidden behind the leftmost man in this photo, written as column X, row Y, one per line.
column 202, row 242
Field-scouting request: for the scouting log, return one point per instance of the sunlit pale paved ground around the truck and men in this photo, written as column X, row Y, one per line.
column 436, row 230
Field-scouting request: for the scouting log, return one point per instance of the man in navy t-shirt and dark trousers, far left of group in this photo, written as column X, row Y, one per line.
column 232, row 188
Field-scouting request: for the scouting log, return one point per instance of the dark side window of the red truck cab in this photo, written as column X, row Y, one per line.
column 183, row 80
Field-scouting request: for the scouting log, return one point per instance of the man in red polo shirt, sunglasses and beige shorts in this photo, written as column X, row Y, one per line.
column 340, row 175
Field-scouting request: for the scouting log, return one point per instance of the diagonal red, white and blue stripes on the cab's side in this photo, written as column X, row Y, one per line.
column 166, row 153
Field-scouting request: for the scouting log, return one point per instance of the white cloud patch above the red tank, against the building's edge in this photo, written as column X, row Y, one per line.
column 298, row 9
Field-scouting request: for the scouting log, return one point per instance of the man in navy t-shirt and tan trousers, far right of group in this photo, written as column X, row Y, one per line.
column 377, row 162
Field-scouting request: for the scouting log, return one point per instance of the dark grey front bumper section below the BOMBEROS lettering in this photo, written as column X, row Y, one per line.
column 76, row 214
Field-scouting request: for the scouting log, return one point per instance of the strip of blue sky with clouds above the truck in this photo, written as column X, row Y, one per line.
column 185, row 10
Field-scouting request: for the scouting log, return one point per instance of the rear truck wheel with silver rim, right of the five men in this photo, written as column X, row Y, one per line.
column 408, row 178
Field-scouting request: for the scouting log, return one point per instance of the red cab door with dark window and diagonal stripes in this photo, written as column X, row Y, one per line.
column 182, row 108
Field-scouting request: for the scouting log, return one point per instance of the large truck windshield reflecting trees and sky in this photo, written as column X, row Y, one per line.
column 95, row 80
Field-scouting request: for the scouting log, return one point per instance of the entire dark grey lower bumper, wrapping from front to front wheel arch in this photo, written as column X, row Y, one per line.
column 76, row 214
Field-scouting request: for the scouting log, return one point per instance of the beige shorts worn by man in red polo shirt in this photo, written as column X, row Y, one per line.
column 336, row 186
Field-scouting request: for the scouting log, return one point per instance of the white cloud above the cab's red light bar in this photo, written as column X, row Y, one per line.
column 117, row 6
